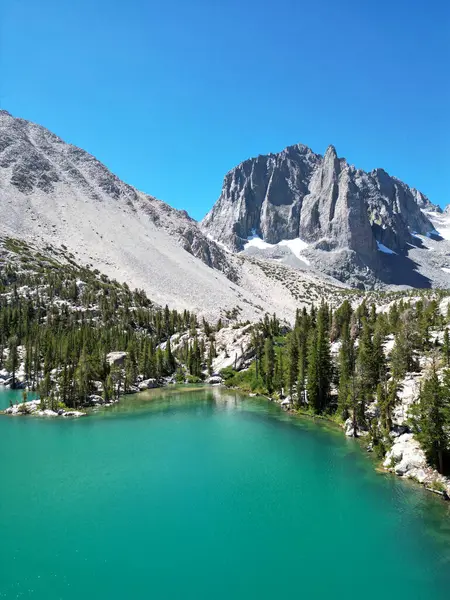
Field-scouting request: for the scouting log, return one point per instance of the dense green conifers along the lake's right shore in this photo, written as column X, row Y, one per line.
column 300, row 365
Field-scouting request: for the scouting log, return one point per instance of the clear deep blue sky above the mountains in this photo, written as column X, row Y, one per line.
column 172, row 94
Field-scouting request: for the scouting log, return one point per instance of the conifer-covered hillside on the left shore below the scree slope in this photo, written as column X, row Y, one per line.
column 65, row 320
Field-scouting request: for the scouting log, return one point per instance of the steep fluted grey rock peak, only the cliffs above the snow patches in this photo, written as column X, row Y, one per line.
column 321, row 199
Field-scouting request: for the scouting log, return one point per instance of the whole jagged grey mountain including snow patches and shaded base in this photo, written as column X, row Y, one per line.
column 340, row 217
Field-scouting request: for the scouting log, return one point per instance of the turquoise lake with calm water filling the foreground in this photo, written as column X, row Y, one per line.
column 201, row 494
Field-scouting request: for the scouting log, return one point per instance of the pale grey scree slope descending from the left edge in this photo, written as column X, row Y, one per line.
column 53, row 193
